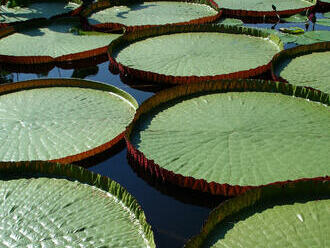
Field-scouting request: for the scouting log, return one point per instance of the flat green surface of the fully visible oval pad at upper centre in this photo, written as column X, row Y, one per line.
column 197, row 54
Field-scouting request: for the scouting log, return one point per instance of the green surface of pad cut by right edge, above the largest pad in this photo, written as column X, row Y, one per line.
column 307, row 70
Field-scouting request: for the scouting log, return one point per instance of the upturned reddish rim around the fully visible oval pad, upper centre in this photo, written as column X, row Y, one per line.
column 129, row 38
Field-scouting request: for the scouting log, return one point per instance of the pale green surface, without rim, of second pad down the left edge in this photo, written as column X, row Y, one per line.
column 54, row 40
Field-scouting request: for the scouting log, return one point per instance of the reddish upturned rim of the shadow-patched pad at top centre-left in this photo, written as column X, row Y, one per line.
column 104, row 4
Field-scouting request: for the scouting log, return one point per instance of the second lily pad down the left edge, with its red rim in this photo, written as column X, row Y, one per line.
column 57, row 41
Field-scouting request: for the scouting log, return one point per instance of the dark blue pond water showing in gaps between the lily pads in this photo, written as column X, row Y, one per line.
column 174, row 215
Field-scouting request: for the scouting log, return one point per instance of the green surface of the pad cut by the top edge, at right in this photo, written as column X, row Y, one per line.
column 257, row 5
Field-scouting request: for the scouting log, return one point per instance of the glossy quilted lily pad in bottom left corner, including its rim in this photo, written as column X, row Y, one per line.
column 52, row 205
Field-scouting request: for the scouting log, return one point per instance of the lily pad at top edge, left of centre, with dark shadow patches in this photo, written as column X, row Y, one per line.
column 149, row 13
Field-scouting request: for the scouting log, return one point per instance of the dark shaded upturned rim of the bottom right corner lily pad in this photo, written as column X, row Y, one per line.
column 312, row 188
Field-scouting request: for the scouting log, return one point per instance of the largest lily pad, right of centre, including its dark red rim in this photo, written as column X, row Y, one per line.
column 225, row 142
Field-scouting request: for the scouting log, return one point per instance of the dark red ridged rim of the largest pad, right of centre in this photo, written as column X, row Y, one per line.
column 138, row 159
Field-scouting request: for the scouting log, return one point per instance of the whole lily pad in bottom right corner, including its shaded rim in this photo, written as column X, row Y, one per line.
column 293, row 215
